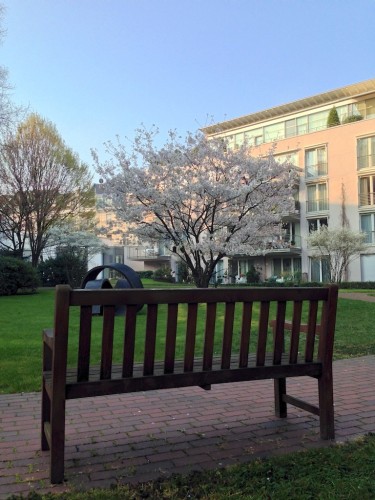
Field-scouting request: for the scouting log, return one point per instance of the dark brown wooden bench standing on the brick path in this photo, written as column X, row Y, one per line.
column 234, row 344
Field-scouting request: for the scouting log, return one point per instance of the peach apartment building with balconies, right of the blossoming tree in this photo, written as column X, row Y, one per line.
column 337, row 177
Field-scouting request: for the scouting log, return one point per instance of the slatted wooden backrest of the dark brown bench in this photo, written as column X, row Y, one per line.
column 237, row 315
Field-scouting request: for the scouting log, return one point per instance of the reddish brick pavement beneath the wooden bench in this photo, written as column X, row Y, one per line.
column 144, row 436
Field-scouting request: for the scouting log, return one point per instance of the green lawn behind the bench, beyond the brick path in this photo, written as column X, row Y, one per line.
column 24, row 316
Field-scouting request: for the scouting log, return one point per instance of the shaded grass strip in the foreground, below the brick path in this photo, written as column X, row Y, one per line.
column 338, row 472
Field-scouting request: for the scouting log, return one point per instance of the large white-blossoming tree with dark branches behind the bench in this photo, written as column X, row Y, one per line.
column 203, row 199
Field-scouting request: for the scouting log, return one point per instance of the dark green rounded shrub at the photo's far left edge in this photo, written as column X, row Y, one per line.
column 15, row 275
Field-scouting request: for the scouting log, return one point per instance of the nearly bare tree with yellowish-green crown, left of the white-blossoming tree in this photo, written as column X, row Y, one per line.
column 42, row 183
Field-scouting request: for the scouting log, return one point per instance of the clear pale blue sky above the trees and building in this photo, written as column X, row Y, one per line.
column 100, row 68
